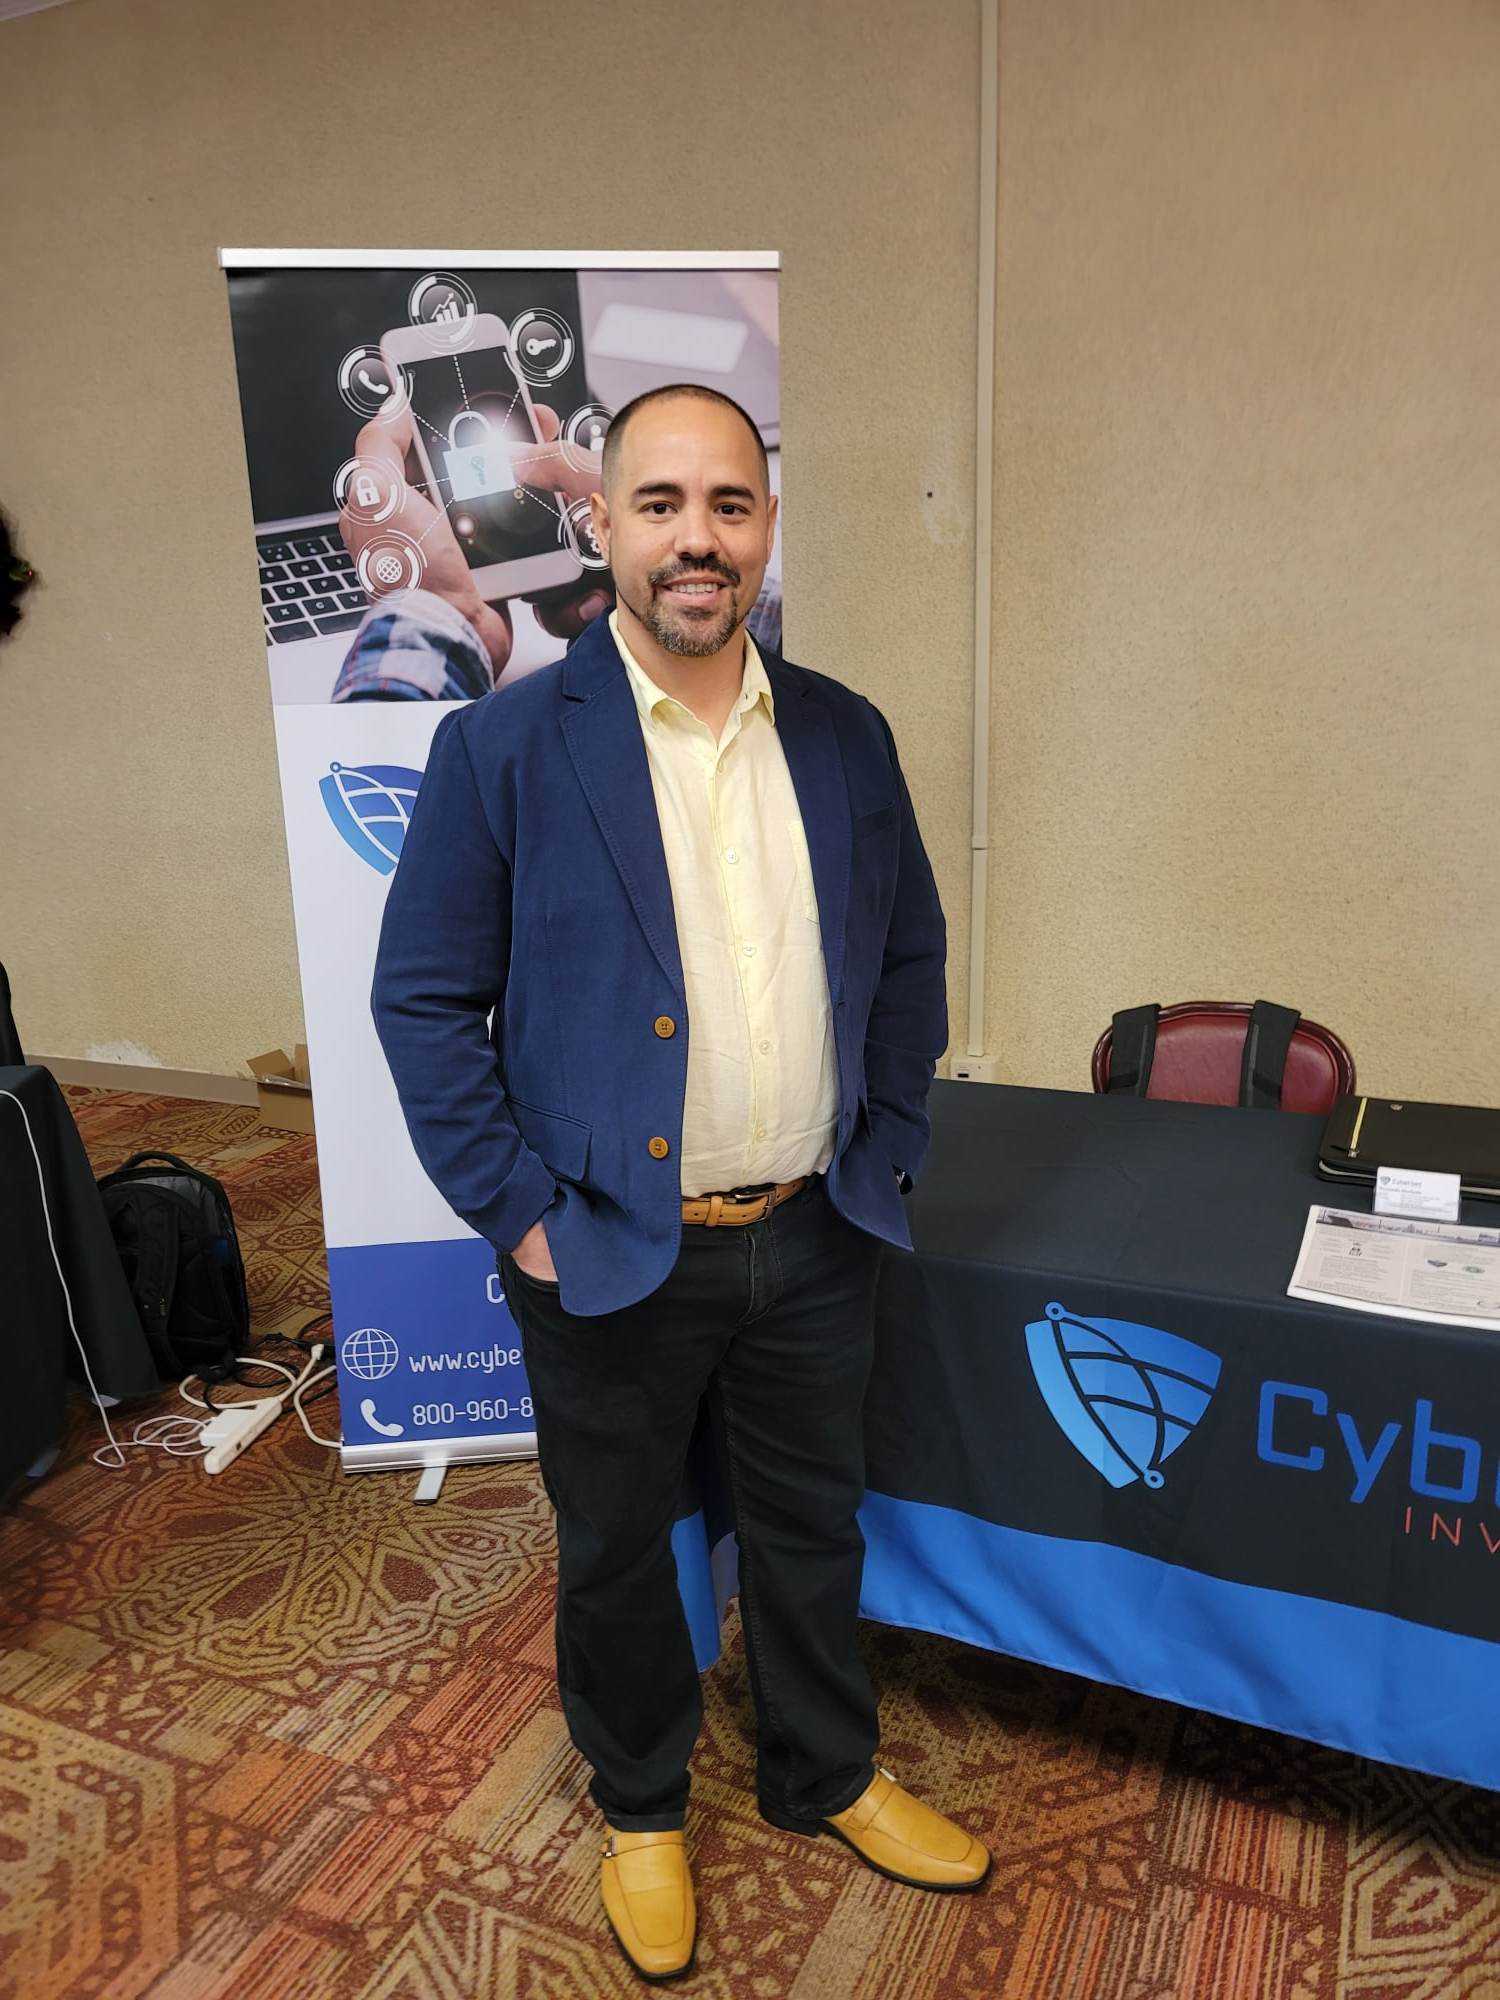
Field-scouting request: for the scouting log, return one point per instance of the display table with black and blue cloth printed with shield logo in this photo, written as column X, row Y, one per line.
column 1103, row 1439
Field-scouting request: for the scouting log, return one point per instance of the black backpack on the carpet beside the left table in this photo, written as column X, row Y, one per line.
column 181, row 1255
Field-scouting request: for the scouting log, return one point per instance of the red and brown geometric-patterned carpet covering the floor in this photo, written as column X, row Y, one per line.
column 289, row 1737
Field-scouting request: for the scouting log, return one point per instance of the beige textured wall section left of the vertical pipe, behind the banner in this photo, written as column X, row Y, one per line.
column 145, row 905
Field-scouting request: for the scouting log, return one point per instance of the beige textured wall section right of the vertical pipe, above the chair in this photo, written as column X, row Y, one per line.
column 1247, row 711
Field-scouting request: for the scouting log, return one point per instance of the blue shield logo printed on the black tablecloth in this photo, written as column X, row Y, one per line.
column 1121, row 1393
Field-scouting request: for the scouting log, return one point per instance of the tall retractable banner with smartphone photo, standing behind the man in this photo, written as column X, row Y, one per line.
column 423, row 433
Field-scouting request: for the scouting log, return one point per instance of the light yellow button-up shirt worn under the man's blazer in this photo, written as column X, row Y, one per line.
column 763, row 1085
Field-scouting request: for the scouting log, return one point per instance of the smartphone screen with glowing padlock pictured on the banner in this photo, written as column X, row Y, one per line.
column 473, row 421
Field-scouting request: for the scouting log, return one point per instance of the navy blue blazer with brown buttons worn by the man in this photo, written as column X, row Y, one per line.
column 529, row 949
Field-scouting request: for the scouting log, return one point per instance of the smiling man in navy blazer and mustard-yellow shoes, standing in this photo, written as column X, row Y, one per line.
column 689, row 885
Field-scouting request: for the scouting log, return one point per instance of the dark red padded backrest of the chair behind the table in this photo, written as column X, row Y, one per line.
column 1201, row 1053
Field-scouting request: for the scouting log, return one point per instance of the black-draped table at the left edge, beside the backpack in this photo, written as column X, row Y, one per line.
column 41, row 1349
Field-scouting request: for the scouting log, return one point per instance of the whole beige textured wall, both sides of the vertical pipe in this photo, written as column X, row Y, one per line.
column 1247, row 491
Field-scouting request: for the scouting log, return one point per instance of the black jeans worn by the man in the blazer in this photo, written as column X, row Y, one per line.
column 775, row 1323
